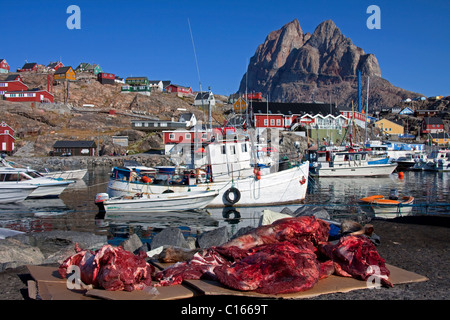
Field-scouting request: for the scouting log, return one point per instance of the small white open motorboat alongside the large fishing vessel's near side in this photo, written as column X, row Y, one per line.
column 164, row 202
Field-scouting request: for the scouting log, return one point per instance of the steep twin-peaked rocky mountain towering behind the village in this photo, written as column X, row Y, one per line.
column 293, row 66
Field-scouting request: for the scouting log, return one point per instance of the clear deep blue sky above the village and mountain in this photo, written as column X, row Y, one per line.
column 152, row 38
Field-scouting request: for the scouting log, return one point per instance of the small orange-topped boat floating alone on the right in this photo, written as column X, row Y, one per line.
column 392, row 207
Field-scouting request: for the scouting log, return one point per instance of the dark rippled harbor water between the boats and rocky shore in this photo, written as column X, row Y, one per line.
column 75, row 208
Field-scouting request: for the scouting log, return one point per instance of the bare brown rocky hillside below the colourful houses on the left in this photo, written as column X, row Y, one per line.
column 38, row 126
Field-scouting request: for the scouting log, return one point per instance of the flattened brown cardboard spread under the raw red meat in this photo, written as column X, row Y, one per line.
column 50, row 286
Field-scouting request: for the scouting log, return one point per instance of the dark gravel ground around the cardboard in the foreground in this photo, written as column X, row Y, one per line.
column 417, row 244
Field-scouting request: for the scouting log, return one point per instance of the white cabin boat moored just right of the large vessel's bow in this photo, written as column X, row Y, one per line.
column 332, row 163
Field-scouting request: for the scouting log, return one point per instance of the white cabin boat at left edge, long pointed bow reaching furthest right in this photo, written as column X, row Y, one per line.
column 45, row 187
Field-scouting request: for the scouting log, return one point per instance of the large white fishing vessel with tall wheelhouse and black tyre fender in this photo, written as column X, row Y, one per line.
column 229, row 166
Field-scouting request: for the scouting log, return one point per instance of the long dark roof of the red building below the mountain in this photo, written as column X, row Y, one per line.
column 294, row 108
